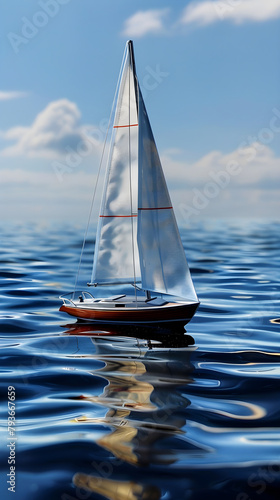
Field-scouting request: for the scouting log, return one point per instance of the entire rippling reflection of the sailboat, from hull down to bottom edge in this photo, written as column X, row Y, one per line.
column 144, row 410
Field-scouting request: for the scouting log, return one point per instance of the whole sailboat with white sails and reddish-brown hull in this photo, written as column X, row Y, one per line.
column 137, row 242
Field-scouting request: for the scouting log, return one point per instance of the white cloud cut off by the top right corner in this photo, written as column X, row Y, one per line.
column 237, row 11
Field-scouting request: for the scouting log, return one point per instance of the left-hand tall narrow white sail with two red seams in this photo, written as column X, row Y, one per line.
column 116, row 257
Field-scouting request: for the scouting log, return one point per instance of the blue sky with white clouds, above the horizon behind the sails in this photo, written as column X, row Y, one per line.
column 210, row 74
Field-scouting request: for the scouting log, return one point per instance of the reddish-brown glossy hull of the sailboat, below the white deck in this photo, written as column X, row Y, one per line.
column 170, row 312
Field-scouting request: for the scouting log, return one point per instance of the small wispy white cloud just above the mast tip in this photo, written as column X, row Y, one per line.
column 144, row 22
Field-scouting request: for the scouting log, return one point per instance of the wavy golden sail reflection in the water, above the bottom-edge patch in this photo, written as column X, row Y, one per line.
column 140, row 412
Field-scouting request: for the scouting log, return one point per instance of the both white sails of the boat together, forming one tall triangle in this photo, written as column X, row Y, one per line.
column 137, row 236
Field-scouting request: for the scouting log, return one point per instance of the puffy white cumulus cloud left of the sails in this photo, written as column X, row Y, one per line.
column 54, row 132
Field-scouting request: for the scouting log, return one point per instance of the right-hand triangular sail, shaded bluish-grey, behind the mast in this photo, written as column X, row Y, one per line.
column 163, row 262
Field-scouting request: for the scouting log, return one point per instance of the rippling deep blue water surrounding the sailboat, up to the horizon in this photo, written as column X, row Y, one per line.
column 140, row 415
